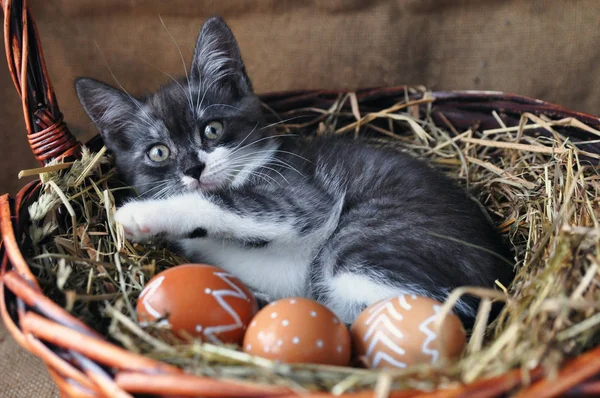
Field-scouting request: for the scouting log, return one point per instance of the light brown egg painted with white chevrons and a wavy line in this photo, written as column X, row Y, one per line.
column 399, row 332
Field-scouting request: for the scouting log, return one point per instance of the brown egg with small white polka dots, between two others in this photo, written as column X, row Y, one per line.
column 298, row 330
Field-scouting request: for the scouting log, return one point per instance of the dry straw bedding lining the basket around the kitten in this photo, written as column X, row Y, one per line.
column 541, row 190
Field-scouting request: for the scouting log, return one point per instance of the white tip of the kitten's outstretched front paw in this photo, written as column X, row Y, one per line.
column 139, row 221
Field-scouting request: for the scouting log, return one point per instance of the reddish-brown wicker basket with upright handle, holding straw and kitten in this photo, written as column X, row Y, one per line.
column 85, row 364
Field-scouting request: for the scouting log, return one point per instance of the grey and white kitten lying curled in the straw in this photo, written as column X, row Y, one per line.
column 331, row 219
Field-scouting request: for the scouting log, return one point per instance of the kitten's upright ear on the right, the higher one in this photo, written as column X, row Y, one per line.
column 217, row 57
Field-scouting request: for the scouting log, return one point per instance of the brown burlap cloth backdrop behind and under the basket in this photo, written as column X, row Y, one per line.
column 547, row 50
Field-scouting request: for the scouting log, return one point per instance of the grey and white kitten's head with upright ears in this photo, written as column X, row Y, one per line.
column 204, row 132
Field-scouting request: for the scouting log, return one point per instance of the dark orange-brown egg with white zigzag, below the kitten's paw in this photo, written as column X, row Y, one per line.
column 198, row 300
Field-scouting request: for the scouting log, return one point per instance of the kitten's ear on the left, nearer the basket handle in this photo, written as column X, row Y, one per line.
column 108, row 107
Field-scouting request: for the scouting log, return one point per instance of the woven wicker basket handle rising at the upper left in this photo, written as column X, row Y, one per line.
column 47, row 133
